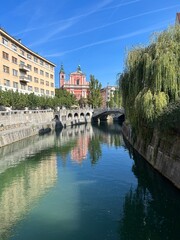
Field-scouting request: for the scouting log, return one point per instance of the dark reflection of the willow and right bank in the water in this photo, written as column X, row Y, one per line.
column 149, row 210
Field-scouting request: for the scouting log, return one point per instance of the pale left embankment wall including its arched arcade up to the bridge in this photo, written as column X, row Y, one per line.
column 20, row 124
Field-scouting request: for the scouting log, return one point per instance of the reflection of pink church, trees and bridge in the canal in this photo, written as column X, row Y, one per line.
column 89, row 140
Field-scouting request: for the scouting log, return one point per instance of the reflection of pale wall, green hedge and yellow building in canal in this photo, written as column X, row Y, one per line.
column 24, row 178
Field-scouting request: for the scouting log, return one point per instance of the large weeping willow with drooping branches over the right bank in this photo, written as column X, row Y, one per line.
column 151, row 78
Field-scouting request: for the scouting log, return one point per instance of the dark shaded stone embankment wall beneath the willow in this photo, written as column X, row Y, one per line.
column 163, row 152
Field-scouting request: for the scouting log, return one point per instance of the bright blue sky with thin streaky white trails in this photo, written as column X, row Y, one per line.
column 95, row 34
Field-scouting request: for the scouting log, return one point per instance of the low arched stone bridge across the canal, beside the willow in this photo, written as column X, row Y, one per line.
column 103, row 114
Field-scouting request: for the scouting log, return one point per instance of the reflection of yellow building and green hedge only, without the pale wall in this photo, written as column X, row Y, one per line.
column 21, row 186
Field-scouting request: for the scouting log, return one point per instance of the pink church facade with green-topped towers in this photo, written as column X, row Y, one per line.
column 77, row 83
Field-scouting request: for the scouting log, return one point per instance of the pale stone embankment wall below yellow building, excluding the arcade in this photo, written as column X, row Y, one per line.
column 17, row 125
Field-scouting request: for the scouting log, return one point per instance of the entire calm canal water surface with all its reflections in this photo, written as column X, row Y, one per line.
column 83, row 183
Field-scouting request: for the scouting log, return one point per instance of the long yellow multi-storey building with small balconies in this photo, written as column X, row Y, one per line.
column 23, row 70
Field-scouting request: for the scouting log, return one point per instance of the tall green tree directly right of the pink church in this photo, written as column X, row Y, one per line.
column 94, row 97
